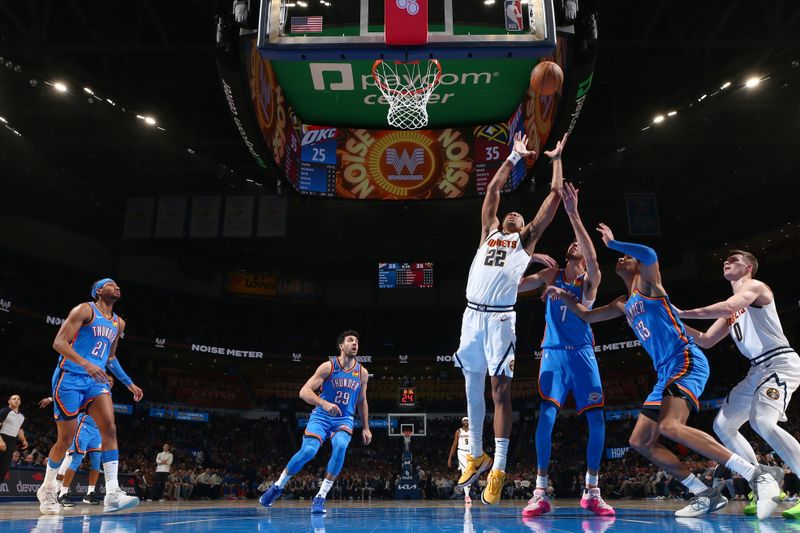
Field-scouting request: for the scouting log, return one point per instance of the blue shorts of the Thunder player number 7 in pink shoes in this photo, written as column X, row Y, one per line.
column 562, row 371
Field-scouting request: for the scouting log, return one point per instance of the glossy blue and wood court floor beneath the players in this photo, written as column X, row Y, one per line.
column 384, row 517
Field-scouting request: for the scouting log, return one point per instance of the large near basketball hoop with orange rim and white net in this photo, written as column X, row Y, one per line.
column 407, row 86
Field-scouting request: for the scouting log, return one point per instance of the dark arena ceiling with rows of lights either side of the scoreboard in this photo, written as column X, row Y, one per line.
column 724, row 168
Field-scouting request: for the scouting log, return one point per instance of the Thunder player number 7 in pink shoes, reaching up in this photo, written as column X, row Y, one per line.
column 568, row 363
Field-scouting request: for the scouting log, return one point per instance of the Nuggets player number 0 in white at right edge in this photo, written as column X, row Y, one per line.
column 750, row 318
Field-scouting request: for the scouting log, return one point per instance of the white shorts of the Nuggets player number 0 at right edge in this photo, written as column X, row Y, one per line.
column 768, row 385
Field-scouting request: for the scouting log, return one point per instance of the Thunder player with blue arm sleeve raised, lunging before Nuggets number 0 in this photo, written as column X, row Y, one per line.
column 682, row 371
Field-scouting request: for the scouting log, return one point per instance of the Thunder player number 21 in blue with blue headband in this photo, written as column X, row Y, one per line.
column 87, row 344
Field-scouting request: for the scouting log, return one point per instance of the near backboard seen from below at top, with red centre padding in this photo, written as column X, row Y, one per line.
column 350, row 29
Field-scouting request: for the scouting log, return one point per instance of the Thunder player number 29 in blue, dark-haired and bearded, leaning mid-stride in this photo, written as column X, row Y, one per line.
column 342, row 386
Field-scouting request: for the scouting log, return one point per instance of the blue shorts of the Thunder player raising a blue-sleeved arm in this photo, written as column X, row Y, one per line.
column 683, row 375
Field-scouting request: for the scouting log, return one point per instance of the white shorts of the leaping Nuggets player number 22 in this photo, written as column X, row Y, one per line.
column 487, row 342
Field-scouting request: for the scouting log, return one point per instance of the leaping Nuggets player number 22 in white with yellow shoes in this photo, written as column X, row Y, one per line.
column 487, row 330
